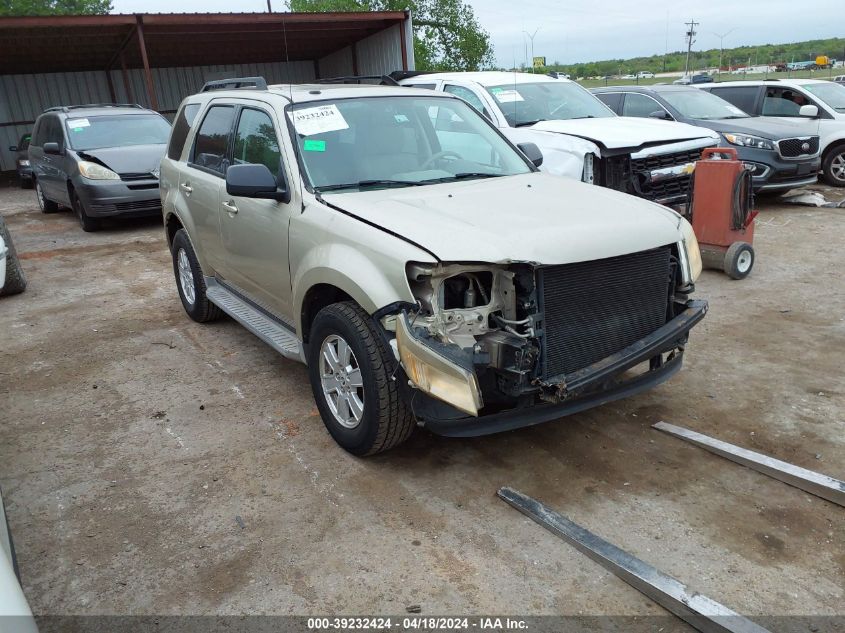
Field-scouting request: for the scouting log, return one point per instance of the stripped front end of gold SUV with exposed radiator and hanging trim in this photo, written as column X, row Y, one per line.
column 494, row 347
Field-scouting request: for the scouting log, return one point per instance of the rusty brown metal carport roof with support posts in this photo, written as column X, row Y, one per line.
column 51, row 44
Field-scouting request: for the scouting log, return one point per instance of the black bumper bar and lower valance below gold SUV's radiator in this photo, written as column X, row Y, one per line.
column 586, row 388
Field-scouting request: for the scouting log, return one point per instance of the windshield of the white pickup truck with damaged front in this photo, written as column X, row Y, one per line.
column 525, row 104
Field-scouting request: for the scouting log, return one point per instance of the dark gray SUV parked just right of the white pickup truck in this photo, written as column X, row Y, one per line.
column 784, row 154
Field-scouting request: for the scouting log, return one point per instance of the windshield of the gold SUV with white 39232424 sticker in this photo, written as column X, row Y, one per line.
column 379, row 142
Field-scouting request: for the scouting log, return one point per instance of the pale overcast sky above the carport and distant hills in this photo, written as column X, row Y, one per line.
column 592, row 30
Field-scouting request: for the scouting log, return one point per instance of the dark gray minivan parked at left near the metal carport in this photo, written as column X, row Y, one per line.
column 100, row 160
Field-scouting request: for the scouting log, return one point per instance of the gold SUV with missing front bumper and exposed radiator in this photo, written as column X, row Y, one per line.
column 419, row 263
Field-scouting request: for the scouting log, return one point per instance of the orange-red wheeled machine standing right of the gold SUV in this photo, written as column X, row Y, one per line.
column 721, row 210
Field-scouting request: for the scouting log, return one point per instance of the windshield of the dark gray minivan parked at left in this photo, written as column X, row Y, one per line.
column 117, row 131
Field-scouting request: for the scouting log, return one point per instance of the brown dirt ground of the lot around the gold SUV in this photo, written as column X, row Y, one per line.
column 152, row 465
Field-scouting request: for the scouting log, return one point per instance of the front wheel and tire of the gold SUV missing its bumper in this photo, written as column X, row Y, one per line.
column 353, row 378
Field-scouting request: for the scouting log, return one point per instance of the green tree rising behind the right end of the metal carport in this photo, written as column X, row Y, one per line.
column 447, row 35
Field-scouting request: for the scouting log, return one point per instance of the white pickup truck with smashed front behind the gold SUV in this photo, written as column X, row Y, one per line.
column 578, row 135
